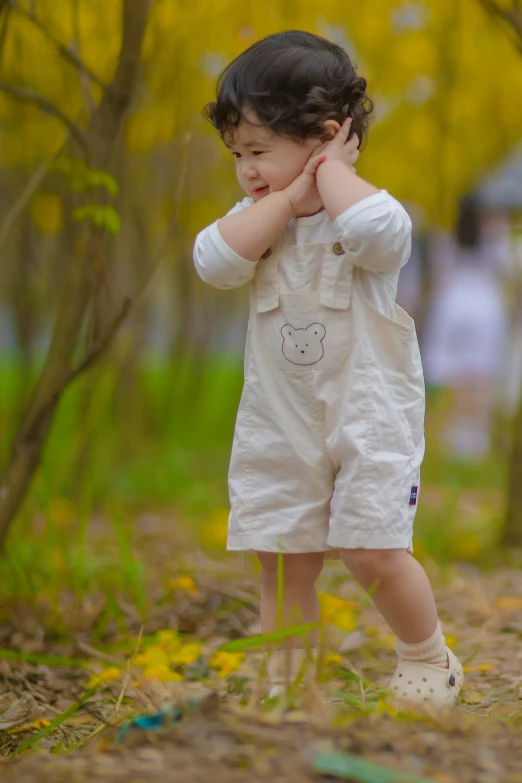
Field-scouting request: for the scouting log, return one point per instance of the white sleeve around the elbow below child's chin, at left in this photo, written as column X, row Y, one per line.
column 216, row 263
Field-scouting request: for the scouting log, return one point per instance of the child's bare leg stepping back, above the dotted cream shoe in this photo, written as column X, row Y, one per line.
column 401, row 590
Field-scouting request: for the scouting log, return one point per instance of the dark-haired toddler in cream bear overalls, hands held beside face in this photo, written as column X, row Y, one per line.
column 329, row 436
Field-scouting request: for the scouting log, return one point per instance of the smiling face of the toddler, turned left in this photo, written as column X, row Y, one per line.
column 265, row 162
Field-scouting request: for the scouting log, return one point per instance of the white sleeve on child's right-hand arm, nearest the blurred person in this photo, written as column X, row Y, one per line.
column 376, row 233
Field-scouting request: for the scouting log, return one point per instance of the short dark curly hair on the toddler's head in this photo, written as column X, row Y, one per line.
column 293, row 81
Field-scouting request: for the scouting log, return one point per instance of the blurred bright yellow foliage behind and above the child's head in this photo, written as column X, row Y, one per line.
column 444, row 78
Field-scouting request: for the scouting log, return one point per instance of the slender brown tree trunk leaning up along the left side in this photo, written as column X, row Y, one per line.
column 103, row 132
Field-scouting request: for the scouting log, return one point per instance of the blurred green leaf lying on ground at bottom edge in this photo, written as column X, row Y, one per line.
column 349, row 767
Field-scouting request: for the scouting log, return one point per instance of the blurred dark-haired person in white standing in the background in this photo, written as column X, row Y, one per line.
column 466, row 336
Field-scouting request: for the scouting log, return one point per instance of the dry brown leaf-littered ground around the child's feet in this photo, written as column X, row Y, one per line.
column 229, row 738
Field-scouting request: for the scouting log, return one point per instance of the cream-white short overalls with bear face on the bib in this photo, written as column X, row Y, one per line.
column 329, row 435
